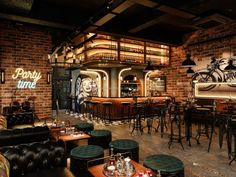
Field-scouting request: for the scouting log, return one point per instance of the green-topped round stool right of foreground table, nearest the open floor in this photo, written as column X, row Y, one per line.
column 168, row 165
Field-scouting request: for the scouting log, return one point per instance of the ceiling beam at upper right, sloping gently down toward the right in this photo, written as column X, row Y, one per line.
column 176, row 12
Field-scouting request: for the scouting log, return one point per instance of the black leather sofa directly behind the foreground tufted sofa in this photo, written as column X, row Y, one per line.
column 9, row 137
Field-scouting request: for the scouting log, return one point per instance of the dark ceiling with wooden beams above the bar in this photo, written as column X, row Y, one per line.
column 165, row 21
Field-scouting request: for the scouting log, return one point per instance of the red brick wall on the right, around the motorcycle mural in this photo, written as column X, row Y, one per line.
column 178, row 83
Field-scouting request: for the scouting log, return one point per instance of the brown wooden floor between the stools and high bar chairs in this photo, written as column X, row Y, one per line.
column 197, row 161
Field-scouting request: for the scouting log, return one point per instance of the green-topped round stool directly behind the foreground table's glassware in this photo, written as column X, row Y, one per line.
column 126, row 145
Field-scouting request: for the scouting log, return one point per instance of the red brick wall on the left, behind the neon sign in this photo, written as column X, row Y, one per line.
column 26, row 47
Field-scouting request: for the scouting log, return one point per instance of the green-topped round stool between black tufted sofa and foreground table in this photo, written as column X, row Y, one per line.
column 79, row 157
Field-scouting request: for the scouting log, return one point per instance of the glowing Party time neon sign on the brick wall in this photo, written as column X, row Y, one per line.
column 26, row 79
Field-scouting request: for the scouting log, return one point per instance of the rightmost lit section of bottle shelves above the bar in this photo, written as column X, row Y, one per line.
column 157, row 54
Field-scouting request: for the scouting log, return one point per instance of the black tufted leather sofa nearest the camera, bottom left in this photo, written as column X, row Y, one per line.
column 36, row 159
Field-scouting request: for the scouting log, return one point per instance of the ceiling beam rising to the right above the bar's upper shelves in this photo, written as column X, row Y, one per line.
column 149, row 23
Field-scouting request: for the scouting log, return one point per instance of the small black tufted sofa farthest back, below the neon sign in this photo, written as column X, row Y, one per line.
column 20, row 119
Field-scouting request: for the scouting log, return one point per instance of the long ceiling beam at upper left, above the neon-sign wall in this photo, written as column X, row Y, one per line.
column 35, row 21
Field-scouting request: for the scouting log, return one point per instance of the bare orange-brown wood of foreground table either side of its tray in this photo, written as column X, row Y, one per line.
column 97, row 171
